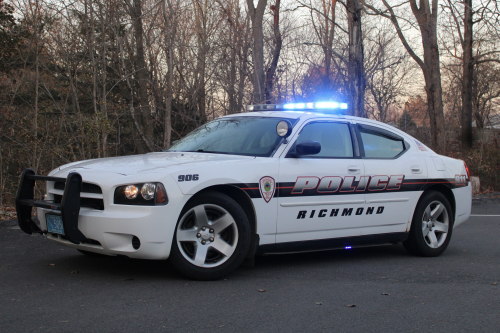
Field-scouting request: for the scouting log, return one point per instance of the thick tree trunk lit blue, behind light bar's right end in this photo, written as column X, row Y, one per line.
column 356, row 70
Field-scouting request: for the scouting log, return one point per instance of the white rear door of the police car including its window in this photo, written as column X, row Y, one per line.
column 396, row 172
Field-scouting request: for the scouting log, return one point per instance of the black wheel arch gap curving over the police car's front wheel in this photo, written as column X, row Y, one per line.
column 246, row 204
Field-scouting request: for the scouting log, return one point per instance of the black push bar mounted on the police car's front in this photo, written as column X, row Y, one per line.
column 69, row 206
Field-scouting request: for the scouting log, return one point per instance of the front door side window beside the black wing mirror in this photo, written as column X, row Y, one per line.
column 335, row 139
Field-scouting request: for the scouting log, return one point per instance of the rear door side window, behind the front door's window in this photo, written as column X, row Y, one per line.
column 378, row 143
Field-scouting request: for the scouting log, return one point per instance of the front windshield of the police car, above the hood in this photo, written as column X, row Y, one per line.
column 251, row 136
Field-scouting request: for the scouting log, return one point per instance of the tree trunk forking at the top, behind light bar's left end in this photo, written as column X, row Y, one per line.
column 257, row 16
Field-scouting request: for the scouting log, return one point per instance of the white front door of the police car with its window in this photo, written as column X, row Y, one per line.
column 321, row 196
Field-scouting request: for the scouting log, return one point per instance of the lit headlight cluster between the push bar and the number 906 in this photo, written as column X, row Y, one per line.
column 151, row 194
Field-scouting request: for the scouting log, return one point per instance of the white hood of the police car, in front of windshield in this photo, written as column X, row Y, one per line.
column 152, row 162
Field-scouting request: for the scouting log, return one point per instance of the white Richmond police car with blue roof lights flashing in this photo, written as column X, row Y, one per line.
column 291, row 177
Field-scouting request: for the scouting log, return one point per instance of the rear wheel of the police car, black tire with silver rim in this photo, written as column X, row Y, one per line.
column 427, row 237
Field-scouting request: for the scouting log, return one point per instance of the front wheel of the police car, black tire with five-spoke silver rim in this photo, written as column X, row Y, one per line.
column 217, row 207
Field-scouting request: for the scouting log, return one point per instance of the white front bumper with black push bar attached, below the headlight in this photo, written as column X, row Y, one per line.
column 112, row 231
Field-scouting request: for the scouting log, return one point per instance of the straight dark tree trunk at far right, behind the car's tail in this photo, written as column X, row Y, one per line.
column 467, row 77
